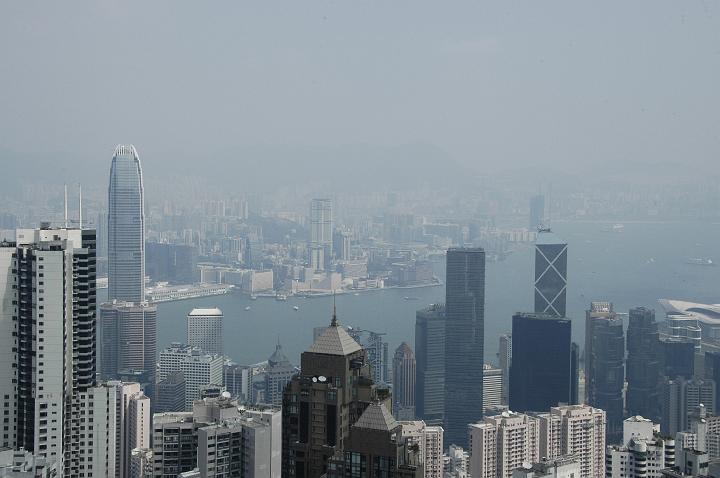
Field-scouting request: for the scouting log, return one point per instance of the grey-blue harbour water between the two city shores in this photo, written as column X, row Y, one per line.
column 643, row 263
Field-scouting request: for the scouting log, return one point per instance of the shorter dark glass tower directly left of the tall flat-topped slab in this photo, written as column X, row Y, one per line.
column 430, row 364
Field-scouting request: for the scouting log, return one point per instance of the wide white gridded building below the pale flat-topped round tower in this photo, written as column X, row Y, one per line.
column 198, row 368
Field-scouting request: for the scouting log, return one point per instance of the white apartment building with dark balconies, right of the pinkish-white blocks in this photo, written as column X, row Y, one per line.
column 644, row 452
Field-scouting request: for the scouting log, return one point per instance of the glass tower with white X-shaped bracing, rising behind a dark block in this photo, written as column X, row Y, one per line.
column 550, row 274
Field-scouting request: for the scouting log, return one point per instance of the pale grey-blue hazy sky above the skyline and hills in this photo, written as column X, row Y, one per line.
column 501, row 82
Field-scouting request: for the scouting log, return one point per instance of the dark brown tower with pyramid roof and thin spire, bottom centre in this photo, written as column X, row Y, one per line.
column 322, row 402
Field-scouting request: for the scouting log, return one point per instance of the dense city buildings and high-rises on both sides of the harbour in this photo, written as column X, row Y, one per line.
column 92, row 392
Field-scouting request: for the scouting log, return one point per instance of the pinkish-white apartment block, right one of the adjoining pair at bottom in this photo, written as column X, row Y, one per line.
column 577, row 430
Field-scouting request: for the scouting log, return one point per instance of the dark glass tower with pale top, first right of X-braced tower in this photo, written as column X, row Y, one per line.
column 607, row 376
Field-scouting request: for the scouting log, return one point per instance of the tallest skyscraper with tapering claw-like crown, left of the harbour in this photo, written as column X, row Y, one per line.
column 126, row 227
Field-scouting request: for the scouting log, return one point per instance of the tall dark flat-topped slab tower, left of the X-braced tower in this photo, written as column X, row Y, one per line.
column 464, row 334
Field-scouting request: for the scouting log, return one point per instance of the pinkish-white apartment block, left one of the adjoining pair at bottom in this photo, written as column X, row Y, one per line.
column 502, row 443
